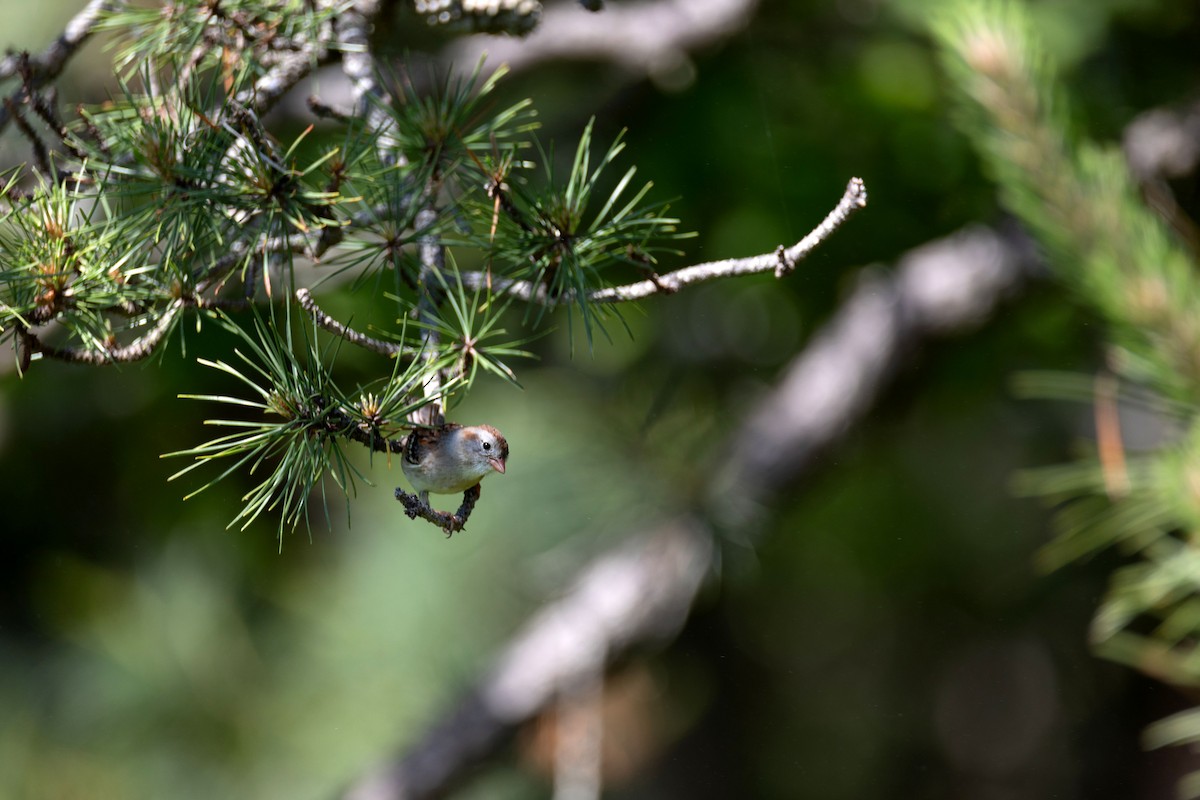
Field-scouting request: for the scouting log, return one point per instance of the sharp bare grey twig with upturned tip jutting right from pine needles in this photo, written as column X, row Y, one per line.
column 781, row 263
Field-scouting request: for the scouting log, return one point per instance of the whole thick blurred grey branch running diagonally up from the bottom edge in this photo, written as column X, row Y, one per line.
column 641, row 592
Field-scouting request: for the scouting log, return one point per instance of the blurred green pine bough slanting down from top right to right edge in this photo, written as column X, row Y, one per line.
column 1076, row 197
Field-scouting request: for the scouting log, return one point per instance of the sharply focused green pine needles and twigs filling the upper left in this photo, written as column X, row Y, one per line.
column 173, row 206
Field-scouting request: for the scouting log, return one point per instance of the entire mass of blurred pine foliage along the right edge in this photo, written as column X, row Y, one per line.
column 1081, row 202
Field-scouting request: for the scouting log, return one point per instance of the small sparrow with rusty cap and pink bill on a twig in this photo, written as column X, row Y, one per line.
column 453, row 459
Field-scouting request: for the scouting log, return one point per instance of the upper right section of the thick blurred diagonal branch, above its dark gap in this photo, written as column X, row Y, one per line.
column 941, row 288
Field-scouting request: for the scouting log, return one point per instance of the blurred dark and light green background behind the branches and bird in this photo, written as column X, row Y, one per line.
column 889, row 637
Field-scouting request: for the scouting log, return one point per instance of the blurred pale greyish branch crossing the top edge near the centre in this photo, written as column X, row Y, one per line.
column 650, row 38
